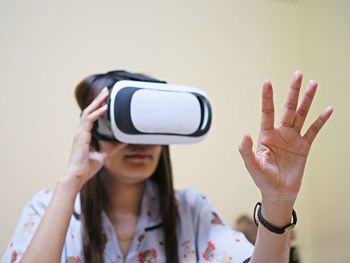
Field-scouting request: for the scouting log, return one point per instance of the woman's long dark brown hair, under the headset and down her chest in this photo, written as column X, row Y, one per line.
column 93, row 197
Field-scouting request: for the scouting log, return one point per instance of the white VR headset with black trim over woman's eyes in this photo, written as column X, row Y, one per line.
column 141, row 112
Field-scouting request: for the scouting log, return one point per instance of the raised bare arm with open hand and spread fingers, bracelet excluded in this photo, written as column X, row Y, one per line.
column 278, row 165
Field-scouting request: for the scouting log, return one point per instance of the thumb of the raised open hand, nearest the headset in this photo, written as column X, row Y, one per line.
column 248, row 155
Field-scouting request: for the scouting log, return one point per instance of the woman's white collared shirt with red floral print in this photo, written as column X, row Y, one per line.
column 202, row 235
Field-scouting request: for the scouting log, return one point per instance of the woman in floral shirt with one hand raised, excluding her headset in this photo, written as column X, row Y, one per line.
column 116, row 202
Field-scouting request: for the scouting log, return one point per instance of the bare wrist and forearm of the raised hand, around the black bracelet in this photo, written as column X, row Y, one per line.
column 271, row 247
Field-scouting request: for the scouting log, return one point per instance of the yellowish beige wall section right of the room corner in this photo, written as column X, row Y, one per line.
column 324, row 28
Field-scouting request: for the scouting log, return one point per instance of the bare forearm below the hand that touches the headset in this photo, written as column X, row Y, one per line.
column 48, row 240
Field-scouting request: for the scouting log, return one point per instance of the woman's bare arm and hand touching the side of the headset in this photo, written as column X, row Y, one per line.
column 48, row 240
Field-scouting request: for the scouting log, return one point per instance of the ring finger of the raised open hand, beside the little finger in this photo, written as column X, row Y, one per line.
column 304, row 106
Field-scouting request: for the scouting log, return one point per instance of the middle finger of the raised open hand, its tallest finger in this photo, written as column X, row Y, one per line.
column 292, row 100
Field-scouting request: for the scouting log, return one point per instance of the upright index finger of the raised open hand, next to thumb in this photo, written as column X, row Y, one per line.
column 267, row 108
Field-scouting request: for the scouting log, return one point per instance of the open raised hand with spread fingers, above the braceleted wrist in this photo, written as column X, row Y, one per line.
column 277, row 166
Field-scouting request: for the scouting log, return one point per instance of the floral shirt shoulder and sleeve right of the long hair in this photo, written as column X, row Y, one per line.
column 213, row 239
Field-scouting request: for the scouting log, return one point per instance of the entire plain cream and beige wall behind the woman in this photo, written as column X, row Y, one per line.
column 227, row 48
